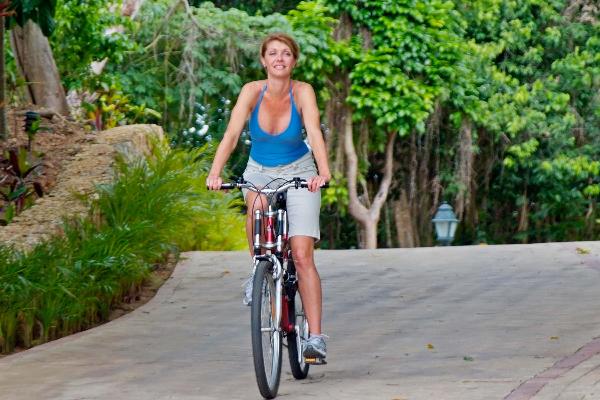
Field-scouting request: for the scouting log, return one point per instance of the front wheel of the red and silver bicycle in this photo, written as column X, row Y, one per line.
column 266, row 335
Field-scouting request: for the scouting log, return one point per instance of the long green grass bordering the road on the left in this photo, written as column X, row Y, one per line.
column 154, row 207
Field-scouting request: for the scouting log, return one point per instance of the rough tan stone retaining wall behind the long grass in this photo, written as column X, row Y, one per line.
column 87, row 161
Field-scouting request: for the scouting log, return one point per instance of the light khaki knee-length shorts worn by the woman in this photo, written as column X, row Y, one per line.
column 303, row 206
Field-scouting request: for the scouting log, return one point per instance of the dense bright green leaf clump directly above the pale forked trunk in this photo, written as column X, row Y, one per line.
column 411, row 51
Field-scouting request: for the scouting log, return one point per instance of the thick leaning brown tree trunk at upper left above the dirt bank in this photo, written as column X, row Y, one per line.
column 36, row 63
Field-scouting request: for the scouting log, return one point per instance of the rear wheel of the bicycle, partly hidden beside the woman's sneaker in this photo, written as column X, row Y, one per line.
column 297, row 365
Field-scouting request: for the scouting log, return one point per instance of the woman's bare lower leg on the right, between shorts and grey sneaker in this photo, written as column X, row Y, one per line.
column 309, row 282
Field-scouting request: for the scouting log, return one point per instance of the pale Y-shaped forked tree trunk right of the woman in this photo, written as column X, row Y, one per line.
column 366, row 217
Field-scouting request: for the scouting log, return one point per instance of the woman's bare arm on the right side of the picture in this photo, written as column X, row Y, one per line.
column 312, row 123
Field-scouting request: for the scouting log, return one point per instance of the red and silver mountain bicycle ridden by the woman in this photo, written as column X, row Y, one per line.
column 276, row 310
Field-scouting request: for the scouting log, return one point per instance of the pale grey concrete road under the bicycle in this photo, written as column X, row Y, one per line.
column 488, row 322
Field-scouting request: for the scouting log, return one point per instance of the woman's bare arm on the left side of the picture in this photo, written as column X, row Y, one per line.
column 239, row 115
